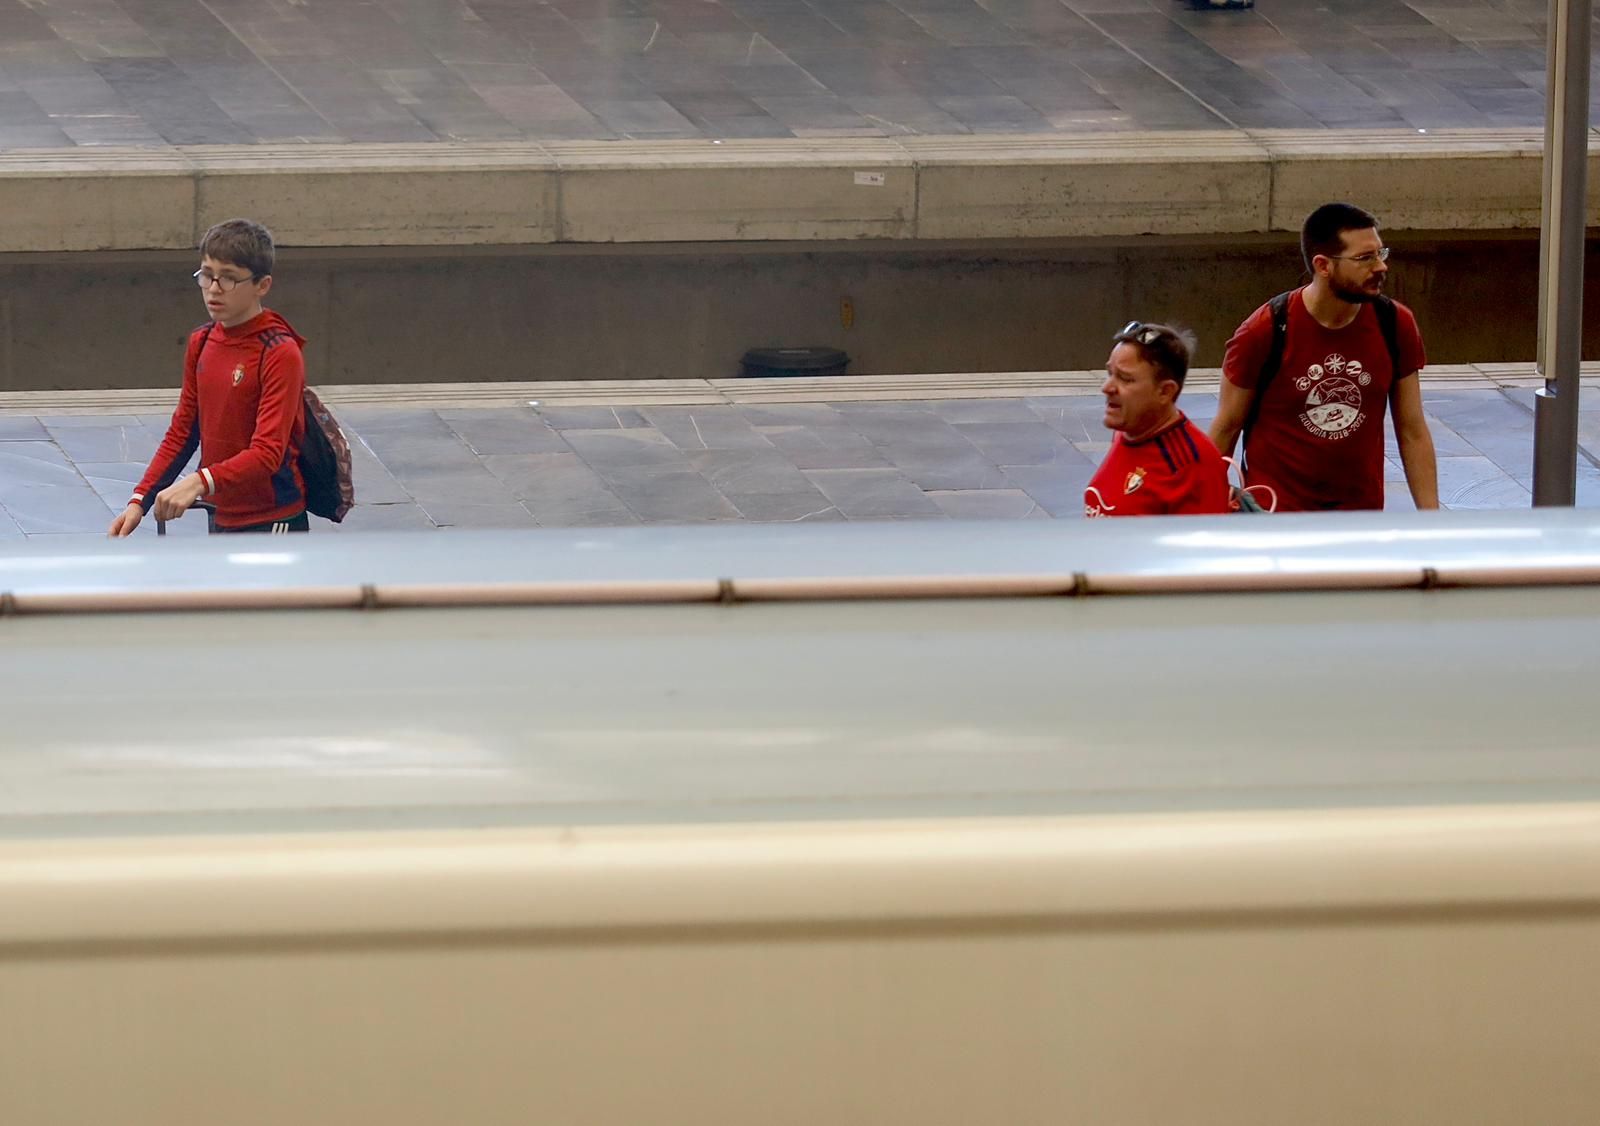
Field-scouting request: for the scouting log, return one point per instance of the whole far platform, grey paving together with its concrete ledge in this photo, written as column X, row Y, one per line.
column 135, row 126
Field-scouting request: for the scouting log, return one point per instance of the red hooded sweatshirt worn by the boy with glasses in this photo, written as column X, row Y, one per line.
column 244, row 405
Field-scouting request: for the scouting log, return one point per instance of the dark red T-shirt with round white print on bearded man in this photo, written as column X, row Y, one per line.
column 1319, row 436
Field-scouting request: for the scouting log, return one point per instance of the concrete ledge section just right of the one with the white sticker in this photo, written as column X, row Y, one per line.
column 1049, row 188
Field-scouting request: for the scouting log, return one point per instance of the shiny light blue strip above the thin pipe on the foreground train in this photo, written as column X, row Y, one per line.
column 1182, row 548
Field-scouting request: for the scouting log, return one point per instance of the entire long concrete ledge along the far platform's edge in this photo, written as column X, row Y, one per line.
column 746, row 191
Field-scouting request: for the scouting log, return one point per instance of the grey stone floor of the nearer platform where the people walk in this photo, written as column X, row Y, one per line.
column 583, row 466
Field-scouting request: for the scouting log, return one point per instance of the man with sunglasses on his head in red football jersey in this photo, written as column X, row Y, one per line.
column 1159, row 461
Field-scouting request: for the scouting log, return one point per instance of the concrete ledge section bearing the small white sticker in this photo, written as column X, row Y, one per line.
column 737, row 191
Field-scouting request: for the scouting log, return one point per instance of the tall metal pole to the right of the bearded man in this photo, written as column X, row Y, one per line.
column 1562, row 255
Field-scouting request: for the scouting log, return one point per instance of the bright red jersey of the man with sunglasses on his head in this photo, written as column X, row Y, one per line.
column 1174, row 473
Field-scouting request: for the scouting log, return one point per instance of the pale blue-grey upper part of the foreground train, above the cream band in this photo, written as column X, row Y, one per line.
column 255, row 722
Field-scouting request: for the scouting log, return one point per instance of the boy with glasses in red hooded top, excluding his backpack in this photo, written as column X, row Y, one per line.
column 242, row 402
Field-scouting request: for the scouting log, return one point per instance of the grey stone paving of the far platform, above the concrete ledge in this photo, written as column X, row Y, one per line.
column 159, row 73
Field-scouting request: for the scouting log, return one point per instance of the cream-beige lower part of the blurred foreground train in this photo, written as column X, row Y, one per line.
column 1345, row 967
